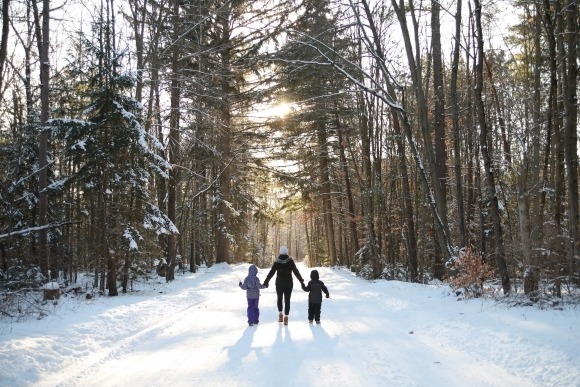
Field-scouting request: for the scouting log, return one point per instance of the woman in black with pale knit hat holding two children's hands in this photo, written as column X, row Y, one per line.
column 284, row 265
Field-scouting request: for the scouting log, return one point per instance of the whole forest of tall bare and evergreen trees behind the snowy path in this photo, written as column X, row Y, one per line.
column 410, row 140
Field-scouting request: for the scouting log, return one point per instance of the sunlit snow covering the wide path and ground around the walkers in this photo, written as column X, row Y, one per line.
column 193, row 332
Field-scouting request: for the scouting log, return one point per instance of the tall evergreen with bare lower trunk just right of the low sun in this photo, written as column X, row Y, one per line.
column 317, row 94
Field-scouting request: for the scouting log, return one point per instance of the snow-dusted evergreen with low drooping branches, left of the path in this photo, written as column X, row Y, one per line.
column 114, row 156
